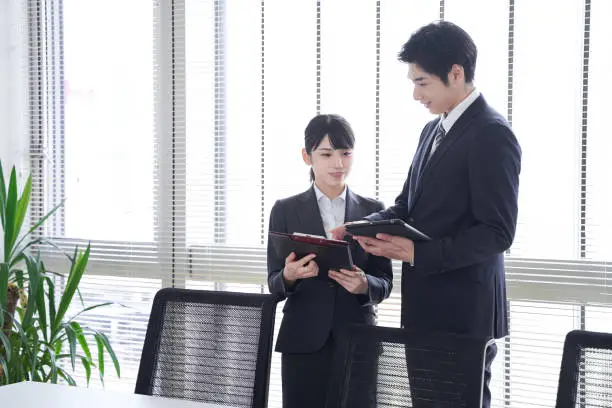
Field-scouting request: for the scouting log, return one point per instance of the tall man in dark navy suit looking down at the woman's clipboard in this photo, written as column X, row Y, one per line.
column 461, row 190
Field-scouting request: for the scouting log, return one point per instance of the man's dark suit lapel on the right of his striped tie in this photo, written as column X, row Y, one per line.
column 454, row 135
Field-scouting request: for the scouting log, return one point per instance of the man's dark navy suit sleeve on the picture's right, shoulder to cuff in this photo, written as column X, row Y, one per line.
column 494, row 165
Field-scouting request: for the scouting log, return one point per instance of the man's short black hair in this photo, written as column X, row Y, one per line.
column 436, row 47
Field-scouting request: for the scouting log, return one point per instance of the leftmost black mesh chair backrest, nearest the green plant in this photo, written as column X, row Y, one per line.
column 209, row 346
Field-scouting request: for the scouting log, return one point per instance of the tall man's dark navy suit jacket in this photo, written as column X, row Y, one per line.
column 465, row 198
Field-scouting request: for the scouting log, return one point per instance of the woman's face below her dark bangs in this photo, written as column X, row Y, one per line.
column 330, row 166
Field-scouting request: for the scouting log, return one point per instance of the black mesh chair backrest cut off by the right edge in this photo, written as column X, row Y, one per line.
column 585, row 379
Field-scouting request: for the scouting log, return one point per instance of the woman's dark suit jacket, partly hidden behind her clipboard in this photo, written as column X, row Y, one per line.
column 315, row 307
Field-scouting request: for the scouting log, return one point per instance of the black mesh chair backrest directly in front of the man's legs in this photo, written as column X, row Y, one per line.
column 390, row 367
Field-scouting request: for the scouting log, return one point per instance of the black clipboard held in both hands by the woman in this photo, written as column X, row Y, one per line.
column 331, row 254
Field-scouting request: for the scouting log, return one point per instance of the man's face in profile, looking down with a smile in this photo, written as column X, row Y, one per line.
column 429, row 89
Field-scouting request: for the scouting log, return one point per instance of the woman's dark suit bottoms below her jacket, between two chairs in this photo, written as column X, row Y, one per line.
column 305, row 377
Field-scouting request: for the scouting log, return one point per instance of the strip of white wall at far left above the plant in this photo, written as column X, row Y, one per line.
column 13, row 85
